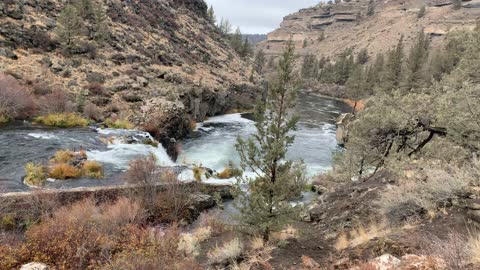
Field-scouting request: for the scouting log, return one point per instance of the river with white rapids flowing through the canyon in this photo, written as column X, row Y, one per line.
column 212, row 145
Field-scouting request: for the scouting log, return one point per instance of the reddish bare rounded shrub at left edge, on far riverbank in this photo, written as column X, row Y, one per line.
column 16, row 102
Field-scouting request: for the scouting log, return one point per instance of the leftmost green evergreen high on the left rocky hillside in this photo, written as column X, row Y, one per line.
column 69, row 25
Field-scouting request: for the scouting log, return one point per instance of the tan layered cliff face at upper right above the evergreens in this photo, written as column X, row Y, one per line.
column 346, row 25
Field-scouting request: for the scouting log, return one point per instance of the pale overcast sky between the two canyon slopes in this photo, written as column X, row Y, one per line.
column 257, row 16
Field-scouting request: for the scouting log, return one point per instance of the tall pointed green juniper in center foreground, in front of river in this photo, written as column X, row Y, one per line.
column 266, row 204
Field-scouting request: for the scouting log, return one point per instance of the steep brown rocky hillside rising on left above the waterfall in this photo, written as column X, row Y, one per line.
column 159, row 63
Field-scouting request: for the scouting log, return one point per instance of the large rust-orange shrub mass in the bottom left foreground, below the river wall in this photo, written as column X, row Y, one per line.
column 85, row 235
